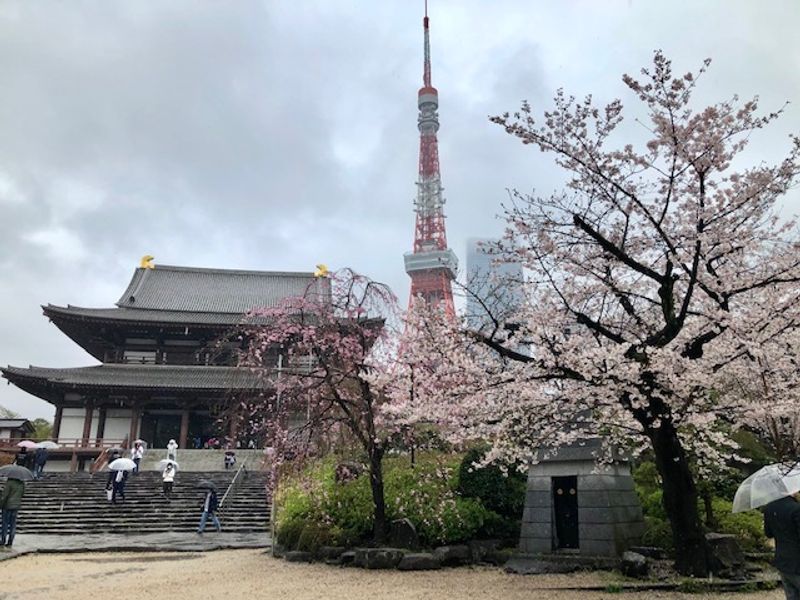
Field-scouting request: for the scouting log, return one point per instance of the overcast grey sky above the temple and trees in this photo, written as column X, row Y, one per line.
column 276, row 135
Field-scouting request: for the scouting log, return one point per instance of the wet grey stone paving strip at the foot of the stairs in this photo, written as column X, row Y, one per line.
column 160, row 542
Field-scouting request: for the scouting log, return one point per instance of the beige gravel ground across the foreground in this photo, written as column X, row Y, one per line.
column 239, row 574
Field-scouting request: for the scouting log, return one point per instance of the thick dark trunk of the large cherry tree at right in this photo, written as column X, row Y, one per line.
column 680, row 502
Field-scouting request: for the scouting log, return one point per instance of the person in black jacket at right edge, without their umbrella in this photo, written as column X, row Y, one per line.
column 782, row 522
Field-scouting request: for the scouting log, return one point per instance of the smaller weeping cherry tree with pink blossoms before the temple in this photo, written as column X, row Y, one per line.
column 324, row 360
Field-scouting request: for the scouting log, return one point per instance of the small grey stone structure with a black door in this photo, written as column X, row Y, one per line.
column 575, row 506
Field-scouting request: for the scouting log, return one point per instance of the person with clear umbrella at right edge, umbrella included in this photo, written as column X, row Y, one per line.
column 776, row 490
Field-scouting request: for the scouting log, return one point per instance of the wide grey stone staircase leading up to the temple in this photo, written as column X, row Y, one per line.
column 74, row 504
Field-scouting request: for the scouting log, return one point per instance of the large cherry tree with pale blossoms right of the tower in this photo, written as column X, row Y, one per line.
column 655, row 277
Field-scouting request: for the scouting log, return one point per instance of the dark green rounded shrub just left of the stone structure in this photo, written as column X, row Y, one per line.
column 502, row 493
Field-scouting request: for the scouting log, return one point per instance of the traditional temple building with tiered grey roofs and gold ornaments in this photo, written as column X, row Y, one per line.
column 167, row 356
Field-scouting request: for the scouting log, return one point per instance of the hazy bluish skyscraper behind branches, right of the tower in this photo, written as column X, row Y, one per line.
column 493, row 288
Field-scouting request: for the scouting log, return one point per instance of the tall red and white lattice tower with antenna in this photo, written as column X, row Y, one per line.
column 432, row 265
